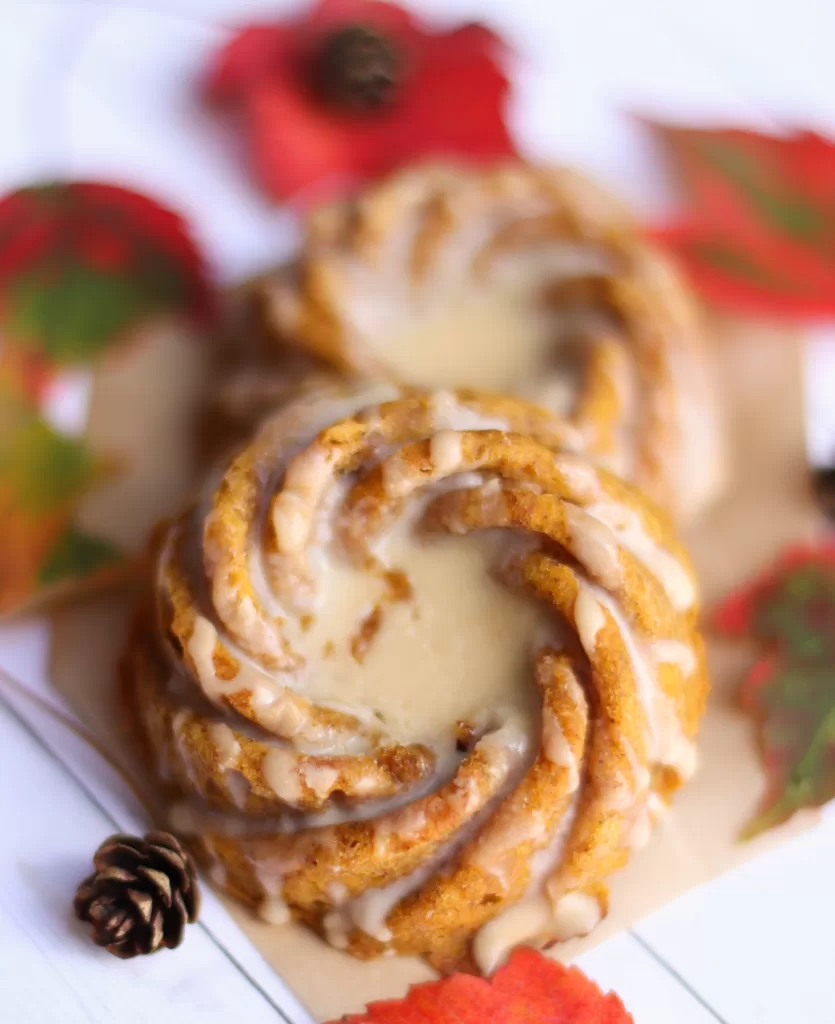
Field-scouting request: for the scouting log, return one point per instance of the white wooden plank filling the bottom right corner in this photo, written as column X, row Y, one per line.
column 758, row 943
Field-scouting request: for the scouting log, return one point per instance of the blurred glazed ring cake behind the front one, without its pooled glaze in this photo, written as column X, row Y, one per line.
column 644, row 402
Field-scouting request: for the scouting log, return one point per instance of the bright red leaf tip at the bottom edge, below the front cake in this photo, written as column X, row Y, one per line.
column 531, row 988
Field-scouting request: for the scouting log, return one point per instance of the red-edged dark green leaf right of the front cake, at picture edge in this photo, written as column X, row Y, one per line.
column 790, row 691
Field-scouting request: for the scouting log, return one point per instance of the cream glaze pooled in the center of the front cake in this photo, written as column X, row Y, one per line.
column 433, row 641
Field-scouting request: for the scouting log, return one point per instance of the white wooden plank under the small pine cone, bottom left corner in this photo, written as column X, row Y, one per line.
column 51, row 969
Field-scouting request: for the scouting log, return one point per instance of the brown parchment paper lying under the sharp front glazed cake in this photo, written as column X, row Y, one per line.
column 768, row 505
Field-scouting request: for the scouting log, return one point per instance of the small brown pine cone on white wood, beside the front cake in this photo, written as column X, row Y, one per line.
column 142, row 895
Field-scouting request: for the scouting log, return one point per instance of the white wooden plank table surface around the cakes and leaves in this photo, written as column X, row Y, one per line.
column 98, row 89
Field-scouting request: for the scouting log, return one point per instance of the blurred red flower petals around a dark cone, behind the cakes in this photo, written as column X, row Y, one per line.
column 448, row 101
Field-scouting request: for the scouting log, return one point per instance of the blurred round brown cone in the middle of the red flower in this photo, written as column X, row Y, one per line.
column 358, row 70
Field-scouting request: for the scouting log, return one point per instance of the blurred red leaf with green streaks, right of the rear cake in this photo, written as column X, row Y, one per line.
column 760, row 232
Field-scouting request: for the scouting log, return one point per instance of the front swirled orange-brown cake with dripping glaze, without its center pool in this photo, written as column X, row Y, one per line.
column 318, row 813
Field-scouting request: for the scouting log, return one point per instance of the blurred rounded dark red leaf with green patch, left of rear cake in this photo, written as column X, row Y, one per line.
column 81, row 264
